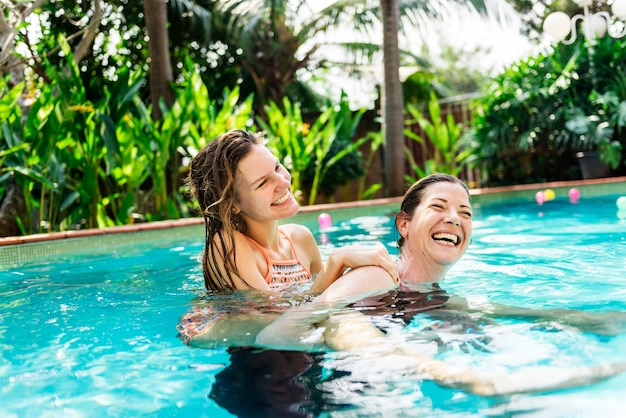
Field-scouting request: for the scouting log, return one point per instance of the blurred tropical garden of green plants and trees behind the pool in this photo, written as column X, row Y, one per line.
column 103, row 103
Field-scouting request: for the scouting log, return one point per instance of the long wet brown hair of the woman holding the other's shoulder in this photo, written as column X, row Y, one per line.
column 211, row 181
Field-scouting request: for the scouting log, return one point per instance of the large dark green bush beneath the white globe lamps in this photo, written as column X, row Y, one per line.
column 541, row 111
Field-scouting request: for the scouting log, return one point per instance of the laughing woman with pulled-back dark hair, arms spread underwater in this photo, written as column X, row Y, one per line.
column 435, row 228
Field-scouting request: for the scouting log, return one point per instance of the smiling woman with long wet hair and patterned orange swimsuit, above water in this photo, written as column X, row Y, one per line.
column 244, row 191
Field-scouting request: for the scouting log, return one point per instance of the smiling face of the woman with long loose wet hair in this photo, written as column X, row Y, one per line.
column 263, row 187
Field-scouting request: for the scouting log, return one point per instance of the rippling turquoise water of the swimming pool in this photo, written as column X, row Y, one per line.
column 96, row 336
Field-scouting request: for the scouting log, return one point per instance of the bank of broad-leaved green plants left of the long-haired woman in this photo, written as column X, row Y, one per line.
column 93, row 164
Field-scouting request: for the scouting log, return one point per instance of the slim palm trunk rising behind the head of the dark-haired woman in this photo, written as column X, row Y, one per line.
column 392, row 103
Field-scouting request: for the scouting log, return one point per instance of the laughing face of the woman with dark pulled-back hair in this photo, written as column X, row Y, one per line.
column 440, row 227
